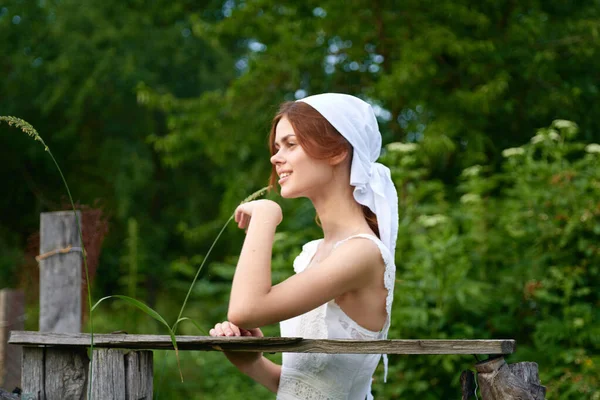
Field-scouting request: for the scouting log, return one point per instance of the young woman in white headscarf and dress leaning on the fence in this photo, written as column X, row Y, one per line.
column 324, row 148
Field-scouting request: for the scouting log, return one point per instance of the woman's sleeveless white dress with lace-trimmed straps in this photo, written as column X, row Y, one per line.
column 319, row 376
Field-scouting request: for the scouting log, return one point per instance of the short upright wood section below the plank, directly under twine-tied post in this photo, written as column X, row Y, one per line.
column 66, row 373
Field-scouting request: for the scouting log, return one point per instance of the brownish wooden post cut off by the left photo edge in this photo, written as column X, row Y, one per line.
column 12, row 317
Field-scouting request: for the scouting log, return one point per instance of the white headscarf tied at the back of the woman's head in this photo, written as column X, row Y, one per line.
column 355, row 120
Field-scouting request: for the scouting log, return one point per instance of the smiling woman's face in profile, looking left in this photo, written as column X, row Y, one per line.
column 299, row 174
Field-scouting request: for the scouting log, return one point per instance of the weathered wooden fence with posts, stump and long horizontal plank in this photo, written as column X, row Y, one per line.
column 55, row 365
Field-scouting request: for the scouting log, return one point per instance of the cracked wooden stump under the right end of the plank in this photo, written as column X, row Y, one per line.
column 499, row 381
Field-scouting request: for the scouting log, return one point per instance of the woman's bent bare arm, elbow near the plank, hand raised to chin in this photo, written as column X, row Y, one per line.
column 254, row 302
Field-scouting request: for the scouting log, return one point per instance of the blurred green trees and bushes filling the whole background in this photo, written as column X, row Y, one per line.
column 159, row 113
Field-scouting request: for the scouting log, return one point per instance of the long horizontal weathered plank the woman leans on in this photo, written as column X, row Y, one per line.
column 270, row 344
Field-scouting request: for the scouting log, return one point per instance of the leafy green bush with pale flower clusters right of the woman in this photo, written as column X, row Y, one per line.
column 509, row 254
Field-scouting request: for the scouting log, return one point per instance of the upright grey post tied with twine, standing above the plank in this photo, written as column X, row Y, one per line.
column 60, row 273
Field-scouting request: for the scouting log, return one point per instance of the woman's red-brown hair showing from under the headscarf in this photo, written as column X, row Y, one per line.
column 318, row 138
